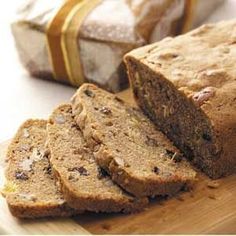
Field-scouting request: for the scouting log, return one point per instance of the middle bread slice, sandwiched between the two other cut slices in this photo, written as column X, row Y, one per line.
column 85, row 186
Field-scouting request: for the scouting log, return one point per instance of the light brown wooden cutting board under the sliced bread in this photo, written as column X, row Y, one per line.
column 202, row 211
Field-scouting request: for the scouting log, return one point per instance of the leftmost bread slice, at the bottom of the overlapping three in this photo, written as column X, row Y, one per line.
column 31, row 190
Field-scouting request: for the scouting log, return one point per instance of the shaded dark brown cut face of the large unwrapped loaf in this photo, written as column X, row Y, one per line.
column 175, row 115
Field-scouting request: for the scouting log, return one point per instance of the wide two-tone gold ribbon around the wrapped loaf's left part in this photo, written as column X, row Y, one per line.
column 63, row 40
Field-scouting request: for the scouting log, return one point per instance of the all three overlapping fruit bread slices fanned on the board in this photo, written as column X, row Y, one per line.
column 95, row 154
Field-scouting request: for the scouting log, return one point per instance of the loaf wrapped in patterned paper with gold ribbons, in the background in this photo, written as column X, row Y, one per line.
column 75, row 41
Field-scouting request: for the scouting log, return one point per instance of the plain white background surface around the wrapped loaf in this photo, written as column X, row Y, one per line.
column 22, row 97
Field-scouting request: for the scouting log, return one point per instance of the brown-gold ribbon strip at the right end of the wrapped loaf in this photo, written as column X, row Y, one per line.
column 190, row 6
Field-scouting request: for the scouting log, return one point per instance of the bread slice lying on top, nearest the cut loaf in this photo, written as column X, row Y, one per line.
column 125, row 143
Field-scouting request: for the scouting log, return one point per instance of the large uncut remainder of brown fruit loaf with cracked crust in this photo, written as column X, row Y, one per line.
column 187, row 86
